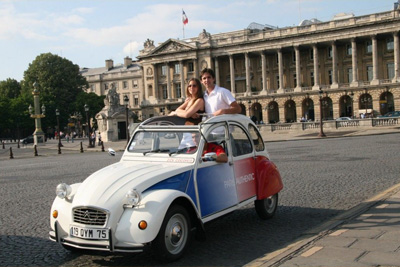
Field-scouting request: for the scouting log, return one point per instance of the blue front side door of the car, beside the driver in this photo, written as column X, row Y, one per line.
column 215, row 181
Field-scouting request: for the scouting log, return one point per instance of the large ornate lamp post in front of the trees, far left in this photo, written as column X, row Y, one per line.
column 38, row 135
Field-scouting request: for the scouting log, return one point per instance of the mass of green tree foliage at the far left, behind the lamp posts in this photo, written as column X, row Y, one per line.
column 60, row 86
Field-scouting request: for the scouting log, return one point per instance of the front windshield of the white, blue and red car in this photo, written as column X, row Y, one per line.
column 167, row 142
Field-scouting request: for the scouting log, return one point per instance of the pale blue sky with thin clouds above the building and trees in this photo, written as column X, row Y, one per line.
column 88, row 32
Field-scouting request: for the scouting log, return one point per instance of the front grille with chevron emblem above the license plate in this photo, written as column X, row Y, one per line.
column 90, row 216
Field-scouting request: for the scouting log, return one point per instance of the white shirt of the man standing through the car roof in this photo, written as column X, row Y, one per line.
column 220, row 98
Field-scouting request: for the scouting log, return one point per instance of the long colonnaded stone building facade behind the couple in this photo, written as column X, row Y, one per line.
column 340, row 68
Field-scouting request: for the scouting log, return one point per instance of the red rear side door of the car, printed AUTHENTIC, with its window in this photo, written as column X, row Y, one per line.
column 243, row 162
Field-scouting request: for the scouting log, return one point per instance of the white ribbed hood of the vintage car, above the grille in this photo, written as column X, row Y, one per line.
column 108, row 186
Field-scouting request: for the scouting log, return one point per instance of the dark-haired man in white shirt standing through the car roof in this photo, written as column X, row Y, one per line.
column 218, row 100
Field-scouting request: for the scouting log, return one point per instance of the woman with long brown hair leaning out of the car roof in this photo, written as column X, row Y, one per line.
column 193, row 104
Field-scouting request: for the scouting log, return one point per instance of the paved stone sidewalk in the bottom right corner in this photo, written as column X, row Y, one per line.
column 367, row 235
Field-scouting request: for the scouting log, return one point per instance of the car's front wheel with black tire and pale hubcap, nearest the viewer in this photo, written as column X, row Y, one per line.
column 174, row 235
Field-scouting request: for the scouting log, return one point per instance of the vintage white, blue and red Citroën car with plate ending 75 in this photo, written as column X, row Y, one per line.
column 164, row 189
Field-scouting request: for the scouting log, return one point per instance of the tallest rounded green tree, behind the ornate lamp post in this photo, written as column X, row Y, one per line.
column 59, row 83
